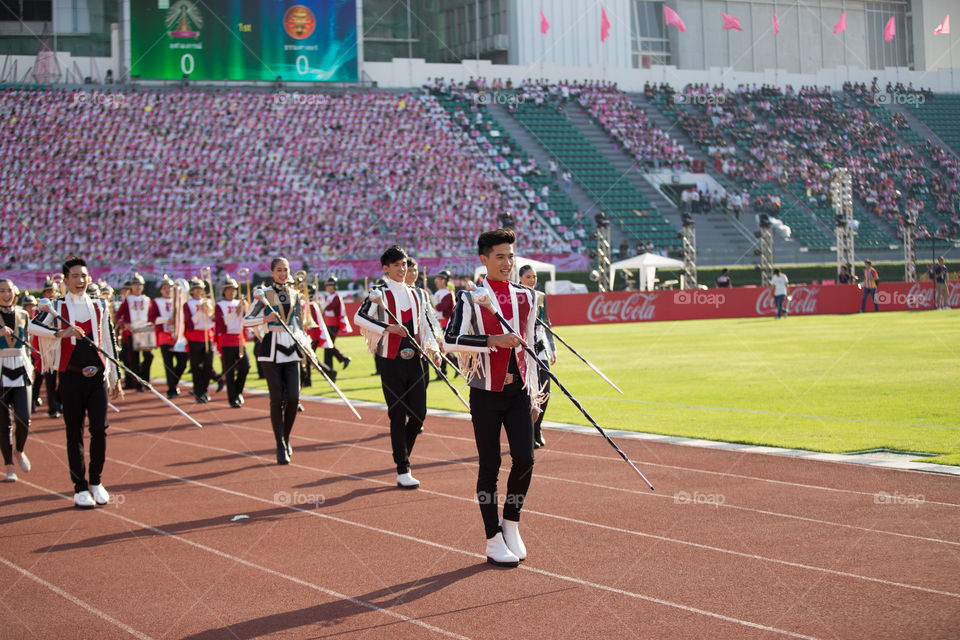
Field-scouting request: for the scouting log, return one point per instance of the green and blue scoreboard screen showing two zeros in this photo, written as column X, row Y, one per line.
column 309, row 40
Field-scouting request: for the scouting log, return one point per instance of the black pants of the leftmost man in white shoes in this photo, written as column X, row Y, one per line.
column 84, row 397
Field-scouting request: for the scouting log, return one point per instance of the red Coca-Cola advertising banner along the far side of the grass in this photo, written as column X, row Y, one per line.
column 739, row 302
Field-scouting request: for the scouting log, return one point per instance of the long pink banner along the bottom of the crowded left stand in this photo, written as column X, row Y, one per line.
column 342, row 269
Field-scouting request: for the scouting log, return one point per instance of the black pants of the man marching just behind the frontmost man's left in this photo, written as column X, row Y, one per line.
column 405, row 390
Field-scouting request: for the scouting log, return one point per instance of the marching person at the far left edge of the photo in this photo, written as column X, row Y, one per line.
column 16, row 379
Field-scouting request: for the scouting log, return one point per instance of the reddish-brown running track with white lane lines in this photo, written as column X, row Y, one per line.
column 731, row 545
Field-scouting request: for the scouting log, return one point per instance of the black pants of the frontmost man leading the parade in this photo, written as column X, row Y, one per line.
column 489, row 410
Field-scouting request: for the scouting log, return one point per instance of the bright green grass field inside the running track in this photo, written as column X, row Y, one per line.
column 825, row 383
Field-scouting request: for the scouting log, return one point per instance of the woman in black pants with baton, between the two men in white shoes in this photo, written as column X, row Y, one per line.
column 278, row 353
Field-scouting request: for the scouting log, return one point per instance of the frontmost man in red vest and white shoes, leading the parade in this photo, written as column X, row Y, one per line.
column 503, row 390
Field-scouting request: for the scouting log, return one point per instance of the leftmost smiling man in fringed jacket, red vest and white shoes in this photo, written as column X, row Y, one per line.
column 85, row 376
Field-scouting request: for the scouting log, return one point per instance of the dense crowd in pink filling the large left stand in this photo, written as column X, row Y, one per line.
column 209, row 175
